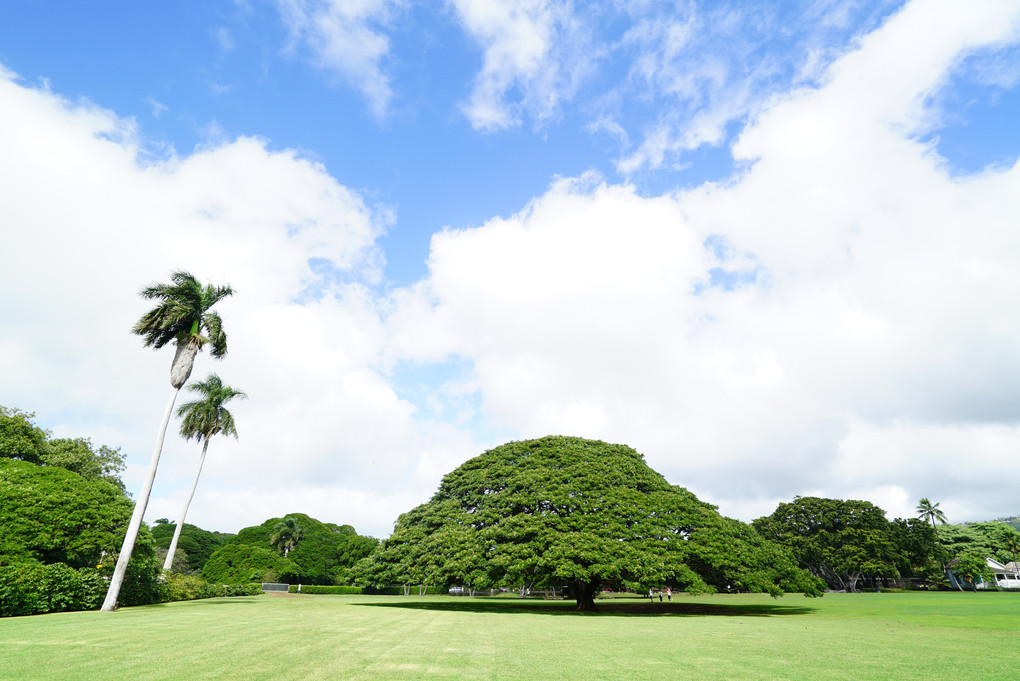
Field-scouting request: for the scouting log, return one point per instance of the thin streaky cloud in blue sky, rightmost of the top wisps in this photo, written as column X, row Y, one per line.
column 700, row 89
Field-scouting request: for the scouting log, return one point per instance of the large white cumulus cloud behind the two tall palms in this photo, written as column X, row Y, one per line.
column 90, row 221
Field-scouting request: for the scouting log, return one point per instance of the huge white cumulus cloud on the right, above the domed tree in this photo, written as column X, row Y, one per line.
column 834, row 321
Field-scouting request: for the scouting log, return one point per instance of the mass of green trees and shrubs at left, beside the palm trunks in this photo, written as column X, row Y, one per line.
column 64, row 514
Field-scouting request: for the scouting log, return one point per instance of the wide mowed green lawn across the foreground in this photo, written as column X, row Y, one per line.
column 897, row 637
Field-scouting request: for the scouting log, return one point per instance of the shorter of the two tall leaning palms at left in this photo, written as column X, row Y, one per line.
column 203, row 420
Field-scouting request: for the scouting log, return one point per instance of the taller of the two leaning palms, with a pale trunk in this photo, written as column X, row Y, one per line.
column 183, row 316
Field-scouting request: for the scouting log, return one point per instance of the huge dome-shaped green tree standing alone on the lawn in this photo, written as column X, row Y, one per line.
column 566, row 511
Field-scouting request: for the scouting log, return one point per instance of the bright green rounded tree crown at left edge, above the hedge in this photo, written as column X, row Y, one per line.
column 54, row 515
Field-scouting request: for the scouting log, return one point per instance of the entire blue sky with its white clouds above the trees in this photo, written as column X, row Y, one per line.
column 772, row 247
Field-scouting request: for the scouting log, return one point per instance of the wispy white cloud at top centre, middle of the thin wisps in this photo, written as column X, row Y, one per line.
column 535, row 55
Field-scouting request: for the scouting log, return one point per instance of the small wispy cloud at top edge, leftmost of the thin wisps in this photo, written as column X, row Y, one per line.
column 345, row 37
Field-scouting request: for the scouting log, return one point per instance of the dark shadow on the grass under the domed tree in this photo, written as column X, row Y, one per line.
column 633, row 609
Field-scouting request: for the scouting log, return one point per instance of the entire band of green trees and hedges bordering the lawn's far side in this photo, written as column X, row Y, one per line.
column 563, row 513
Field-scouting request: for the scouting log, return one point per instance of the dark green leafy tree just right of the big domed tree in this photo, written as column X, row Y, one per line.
column 838, row 541
